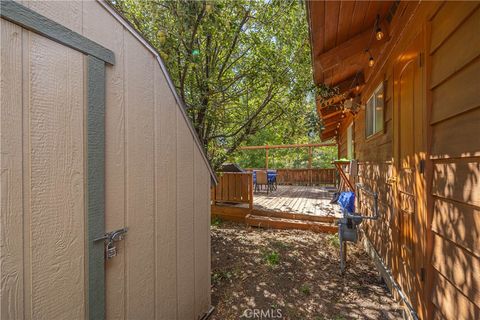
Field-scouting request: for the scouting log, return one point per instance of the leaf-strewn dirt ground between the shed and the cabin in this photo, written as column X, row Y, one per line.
column 292, row 274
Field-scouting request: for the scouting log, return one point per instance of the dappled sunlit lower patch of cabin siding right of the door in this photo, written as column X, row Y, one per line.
column 456, row 227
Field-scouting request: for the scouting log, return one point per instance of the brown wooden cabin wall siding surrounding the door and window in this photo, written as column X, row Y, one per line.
column 452, row 123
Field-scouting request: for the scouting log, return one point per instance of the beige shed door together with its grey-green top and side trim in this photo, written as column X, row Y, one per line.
column 52, row 164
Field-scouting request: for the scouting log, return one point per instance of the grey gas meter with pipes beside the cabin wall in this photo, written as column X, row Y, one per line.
column 348, row 225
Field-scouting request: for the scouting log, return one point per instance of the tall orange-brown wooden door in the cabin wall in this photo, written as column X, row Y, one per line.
column 409, row 159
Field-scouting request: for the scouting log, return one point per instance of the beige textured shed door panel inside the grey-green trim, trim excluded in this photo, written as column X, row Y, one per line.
column 43, row 152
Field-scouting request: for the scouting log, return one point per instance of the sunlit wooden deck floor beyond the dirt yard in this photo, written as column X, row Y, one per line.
column 298, row 200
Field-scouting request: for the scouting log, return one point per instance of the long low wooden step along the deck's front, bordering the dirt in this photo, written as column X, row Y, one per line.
column 283, row 223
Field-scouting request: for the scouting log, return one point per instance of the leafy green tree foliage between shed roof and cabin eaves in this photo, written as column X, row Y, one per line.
column 242, row 67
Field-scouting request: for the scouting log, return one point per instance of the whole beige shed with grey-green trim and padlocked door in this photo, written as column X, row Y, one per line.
column 95, row 139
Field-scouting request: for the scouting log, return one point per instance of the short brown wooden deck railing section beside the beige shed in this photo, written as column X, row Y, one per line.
column 234, row 187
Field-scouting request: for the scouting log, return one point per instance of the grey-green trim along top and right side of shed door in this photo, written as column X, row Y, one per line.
column 97, row 56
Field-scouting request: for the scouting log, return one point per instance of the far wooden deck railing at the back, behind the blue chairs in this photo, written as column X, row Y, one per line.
column 310, row 177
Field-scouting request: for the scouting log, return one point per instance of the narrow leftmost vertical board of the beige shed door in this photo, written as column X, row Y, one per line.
column 11, row 166
